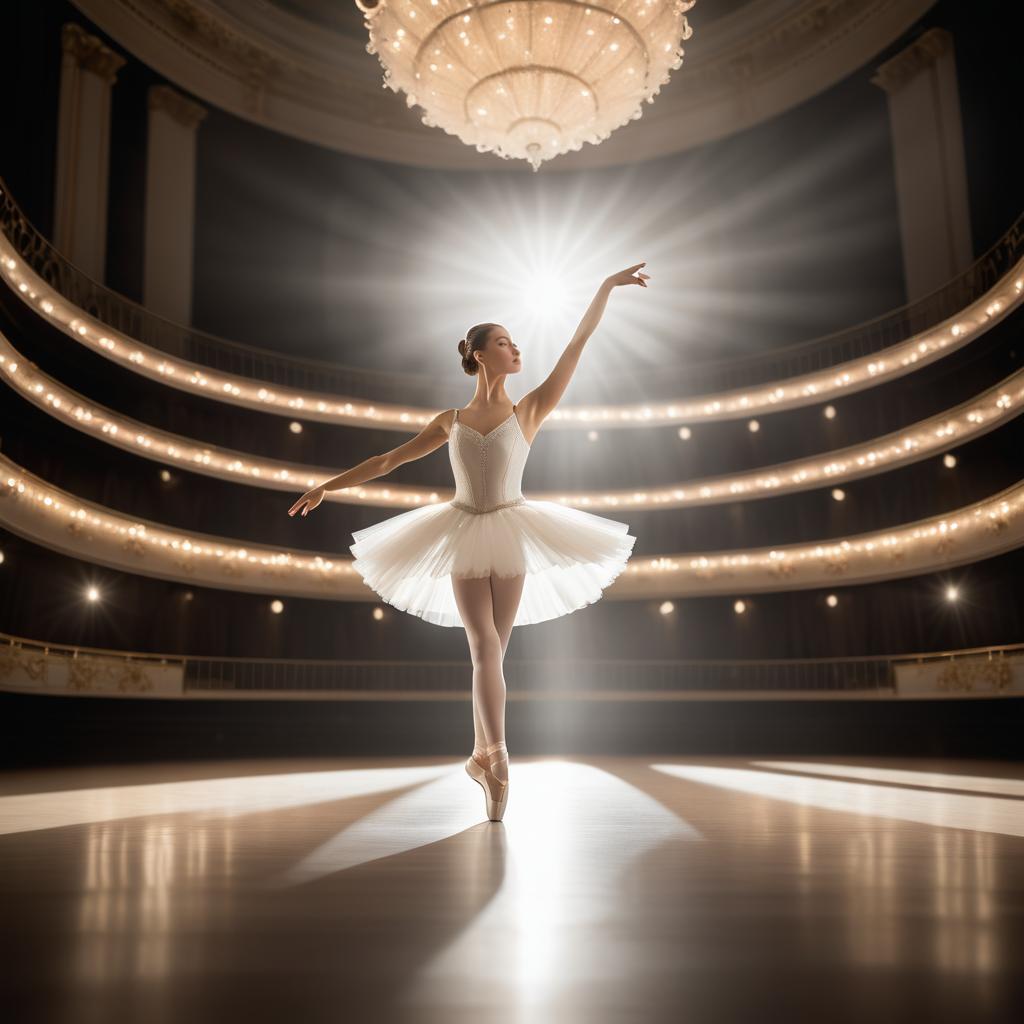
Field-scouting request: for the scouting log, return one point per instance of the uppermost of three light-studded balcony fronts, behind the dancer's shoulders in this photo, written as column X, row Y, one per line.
column 795, row 393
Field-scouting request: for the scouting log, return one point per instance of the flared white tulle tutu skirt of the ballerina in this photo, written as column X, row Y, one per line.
column 569, row 557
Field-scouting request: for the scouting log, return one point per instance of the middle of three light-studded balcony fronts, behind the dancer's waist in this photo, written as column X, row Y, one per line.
column 937, row 435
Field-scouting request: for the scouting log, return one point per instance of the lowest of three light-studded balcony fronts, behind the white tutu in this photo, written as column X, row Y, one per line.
column 64, row 523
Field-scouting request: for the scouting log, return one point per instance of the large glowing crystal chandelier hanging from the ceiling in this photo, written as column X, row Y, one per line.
column 528, row 79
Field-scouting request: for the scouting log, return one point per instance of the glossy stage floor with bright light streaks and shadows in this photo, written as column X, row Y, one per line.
column 617, row 889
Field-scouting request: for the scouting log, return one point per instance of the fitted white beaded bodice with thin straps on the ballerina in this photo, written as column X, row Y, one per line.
column 488, row 467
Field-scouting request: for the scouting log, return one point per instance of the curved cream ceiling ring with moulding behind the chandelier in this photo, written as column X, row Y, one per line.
column 301, row 67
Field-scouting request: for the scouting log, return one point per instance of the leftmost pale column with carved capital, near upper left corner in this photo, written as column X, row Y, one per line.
column 89, row 70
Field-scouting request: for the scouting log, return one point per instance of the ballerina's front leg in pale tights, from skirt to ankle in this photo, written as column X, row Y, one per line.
column 475, row 603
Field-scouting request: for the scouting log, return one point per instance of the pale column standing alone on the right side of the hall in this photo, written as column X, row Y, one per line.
column 928, row 148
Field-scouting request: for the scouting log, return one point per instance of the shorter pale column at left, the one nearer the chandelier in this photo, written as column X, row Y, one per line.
column 170, row 204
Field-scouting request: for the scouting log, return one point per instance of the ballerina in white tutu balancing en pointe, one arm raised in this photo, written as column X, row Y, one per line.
column 490, row 560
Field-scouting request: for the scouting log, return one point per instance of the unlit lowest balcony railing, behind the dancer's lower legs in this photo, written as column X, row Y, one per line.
column 626, row 679
